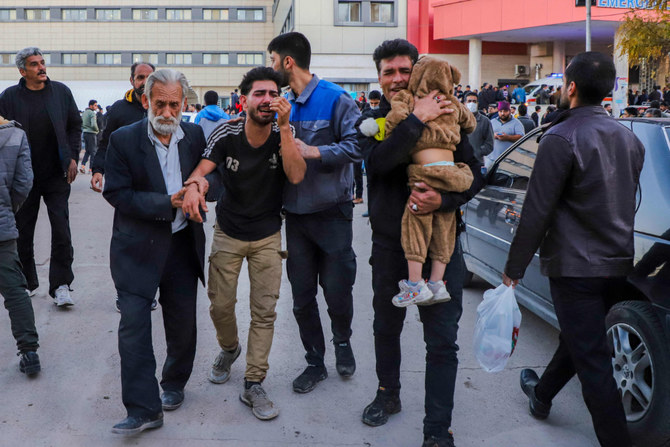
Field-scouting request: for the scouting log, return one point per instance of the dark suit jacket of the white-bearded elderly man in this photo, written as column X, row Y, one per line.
column 143, row 214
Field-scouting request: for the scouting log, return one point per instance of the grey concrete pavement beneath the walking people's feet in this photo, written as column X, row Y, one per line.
column 76, row 398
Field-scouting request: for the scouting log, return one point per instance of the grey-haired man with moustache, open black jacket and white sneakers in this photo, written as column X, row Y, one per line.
column 49, row 115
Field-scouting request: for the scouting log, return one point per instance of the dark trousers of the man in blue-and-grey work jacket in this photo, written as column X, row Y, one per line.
column 320, row 252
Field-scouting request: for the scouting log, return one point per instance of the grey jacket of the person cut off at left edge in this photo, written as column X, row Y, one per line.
column 16, row 176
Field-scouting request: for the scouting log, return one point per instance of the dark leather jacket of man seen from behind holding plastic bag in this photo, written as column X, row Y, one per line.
column 580, row 204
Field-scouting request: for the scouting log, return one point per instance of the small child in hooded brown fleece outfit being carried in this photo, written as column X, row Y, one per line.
column 432, row 164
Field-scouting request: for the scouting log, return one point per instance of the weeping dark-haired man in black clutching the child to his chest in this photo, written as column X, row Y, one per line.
column 386, row 162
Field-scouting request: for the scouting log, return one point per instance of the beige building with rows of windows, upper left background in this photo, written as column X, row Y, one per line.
column 212, row 42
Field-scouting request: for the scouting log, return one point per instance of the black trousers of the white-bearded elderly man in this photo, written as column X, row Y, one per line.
column 178, row 290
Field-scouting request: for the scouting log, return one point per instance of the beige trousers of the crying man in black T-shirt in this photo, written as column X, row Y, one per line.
column 265, row 269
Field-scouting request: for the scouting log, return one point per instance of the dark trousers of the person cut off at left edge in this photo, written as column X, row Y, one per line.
column 17, row 301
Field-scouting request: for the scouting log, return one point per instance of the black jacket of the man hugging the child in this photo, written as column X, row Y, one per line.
column 386, row 166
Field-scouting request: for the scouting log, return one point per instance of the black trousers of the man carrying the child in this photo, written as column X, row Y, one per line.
column 440, row 330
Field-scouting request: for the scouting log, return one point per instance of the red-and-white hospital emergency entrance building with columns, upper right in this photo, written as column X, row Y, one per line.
column 508, row 41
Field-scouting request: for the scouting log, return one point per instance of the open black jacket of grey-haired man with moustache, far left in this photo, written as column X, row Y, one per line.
column 15, row 105
